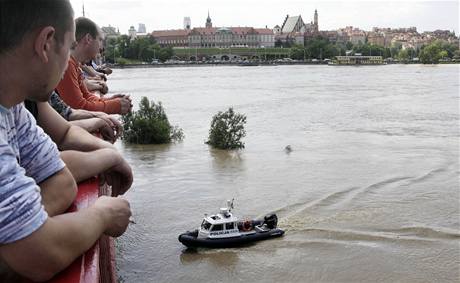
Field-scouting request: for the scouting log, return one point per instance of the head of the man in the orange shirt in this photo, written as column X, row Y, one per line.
column 89, row 38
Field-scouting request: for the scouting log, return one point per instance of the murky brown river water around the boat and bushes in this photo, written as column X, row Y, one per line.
column 369, row 193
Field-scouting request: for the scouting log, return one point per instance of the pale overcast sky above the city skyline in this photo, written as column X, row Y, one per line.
column 169, row 14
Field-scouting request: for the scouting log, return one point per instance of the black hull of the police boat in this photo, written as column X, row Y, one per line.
column 190, row 239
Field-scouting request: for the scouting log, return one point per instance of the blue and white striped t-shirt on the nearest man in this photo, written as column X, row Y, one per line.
column 27, row 157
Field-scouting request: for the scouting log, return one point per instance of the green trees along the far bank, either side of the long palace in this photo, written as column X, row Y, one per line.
column 123, row 50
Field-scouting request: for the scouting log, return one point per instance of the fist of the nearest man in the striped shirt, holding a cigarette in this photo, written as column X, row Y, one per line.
column 116, row 213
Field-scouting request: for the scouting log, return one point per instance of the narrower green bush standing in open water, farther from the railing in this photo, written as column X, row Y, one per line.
column 227, row 130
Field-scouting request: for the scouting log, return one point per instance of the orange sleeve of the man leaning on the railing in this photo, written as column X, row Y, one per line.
column 75, row 94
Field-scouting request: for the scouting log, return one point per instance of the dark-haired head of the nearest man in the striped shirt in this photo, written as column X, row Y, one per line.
column 41, row 33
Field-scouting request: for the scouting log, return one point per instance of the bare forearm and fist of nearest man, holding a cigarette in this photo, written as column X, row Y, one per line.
column 61, row 239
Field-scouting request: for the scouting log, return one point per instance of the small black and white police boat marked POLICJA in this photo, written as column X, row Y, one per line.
column 224, row 230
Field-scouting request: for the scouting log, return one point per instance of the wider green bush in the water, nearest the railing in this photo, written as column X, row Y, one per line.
column 149, row 125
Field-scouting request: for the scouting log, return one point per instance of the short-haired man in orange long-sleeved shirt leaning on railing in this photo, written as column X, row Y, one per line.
column 72, row 88
